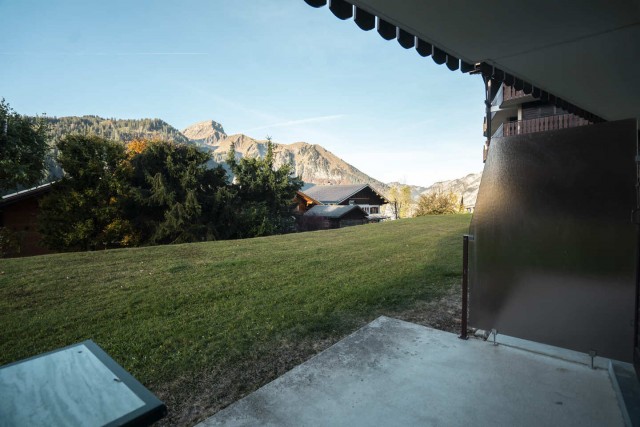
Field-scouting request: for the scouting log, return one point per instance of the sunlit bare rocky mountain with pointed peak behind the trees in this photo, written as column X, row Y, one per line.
column 311, row 162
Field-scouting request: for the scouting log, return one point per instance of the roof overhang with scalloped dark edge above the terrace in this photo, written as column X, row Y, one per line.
column 586, row 53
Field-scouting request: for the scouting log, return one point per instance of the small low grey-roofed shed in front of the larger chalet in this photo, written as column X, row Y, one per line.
column 323, row 217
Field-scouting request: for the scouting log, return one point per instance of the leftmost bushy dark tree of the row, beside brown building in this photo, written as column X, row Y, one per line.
column 84, row 210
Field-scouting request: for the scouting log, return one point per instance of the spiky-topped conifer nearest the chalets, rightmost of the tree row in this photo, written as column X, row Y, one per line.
column 264, row 194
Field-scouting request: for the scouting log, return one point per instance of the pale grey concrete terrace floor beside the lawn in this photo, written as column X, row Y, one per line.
column 397, row 373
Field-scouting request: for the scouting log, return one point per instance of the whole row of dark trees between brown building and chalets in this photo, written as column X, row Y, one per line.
column 157, row 192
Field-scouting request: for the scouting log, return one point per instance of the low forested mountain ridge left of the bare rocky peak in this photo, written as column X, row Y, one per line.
column 116, row 129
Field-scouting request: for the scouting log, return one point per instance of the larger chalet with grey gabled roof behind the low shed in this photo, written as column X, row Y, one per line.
column 362, row 195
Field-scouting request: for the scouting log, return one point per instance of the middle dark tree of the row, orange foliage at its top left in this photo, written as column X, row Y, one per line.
column 176, row 197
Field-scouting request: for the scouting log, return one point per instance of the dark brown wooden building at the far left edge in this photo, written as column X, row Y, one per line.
column 19, row 217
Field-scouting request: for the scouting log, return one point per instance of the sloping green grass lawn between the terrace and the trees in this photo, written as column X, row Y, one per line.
column 202, row 324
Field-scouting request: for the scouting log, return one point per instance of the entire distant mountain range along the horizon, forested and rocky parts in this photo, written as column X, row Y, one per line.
column 311, row 162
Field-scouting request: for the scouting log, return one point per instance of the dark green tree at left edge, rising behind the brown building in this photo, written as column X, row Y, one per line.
column 23, row 149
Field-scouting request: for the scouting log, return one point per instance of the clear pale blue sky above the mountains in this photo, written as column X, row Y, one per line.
column 259, row 67
